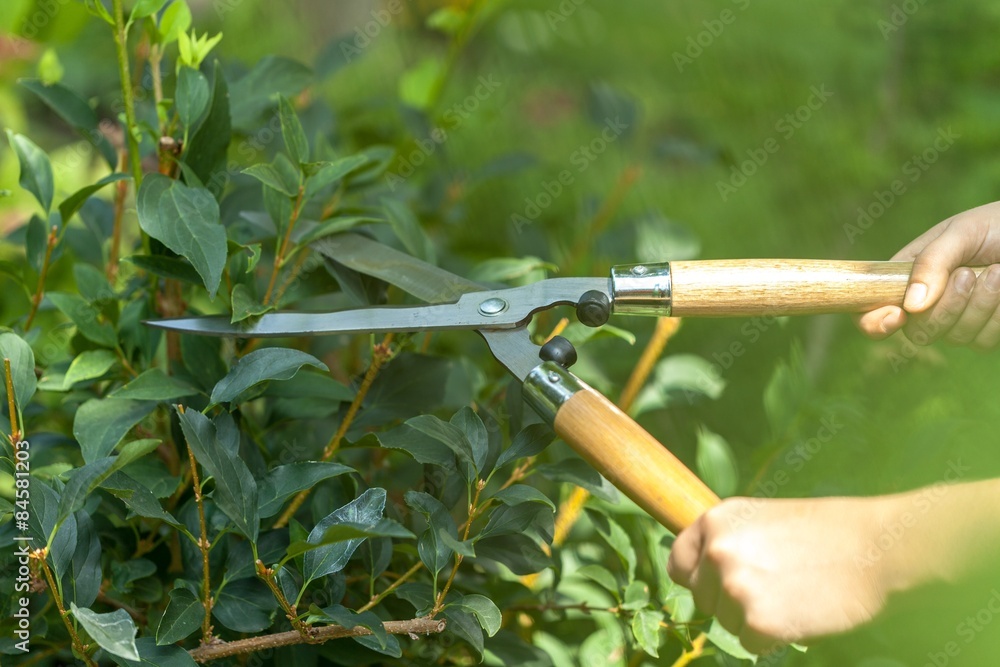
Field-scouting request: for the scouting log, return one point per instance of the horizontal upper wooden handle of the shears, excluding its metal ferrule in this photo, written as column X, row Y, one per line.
column 724, row 288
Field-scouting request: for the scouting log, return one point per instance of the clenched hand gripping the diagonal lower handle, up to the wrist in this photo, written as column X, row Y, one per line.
column 780, row 571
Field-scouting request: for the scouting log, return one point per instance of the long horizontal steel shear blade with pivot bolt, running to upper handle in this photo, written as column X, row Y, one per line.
column 494, row 309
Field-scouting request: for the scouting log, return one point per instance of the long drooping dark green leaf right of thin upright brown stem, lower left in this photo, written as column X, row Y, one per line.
column 235, row 488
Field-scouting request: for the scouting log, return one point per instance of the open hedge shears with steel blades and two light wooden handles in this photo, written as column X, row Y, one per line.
column 621, row 450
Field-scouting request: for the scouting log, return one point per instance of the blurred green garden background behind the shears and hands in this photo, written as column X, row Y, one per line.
column 697, row 88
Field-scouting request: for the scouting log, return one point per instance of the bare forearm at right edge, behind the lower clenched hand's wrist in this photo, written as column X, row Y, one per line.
column 942, row 533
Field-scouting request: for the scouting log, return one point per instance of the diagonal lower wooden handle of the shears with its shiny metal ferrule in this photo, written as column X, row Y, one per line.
column 621, row 450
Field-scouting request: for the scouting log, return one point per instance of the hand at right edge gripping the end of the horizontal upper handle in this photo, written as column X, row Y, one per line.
column 944, row 298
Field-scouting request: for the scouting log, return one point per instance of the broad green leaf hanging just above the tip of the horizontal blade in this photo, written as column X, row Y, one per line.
column 186, row 220
